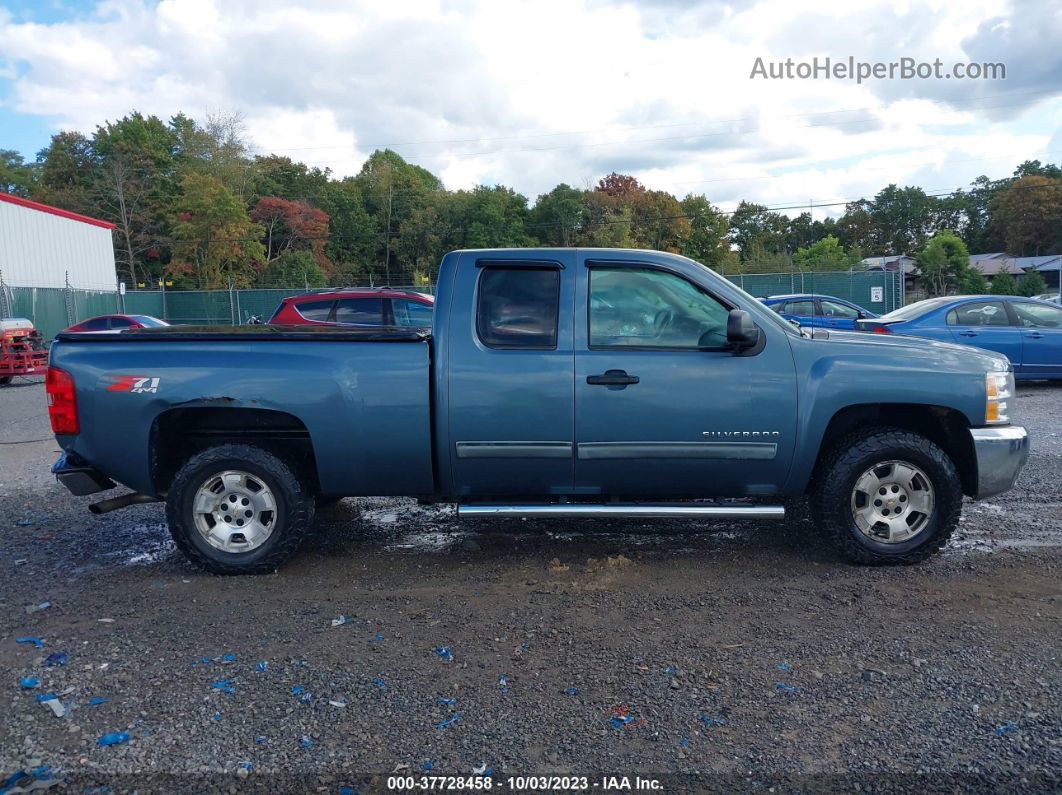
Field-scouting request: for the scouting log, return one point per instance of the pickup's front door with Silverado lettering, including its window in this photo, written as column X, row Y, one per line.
column 663, row 407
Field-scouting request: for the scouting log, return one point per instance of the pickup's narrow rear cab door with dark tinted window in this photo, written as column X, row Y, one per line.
column 510, row 391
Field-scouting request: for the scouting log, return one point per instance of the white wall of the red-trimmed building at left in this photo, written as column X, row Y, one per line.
column 39, row 249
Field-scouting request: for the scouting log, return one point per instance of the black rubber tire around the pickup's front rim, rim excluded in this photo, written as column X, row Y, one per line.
column 843, row 466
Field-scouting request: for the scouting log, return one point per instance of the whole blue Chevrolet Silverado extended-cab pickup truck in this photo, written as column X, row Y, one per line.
column 555, row 383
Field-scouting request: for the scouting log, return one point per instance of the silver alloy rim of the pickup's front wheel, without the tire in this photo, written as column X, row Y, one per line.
column 893, row 503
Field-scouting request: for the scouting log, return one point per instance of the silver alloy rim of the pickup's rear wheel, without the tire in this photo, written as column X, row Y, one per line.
column 235, row 512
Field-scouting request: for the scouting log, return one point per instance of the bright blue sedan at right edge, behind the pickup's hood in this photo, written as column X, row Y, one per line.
column 1026, row 331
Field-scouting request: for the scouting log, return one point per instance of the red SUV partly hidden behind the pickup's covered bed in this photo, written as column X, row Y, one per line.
column 361, row 307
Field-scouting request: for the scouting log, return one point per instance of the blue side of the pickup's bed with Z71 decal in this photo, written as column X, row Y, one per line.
column 362, row 399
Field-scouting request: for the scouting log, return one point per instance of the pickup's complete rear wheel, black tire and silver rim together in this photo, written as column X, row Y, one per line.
column 238, row 510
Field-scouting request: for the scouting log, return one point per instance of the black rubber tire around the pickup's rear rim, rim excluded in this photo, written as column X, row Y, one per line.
column 293, row 524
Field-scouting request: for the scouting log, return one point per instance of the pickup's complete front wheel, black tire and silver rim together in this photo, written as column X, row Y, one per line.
column 887, row 496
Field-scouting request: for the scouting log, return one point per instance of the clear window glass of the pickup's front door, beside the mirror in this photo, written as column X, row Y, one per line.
column 644, row 308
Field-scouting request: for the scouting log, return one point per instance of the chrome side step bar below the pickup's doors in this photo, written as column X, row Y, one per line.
column 622, row 510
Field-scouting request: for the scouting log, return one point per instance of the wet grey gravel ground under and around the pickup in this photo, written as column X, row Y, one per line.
column 745, row 656
